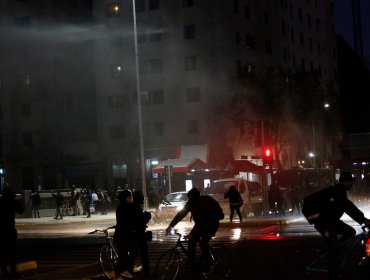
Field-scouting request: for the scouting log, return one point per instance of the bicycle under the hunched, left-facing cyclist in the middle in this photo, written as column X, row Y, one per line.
column 169, row 263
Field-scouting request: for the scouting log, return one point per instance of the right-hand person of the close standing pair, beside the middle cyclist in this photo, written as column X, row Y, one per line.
column 141, row 220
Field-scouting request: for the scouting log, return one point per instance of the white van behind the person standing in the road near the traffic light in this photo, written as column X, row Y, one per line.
column 251, row 192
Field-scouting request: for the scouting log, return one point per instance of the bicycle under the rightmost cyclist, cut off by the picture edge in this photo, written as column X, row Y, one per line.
column 311, row 262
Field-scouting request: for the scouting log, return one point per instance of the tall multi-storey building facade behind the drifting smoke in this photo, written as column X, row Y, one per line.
column 187, row 55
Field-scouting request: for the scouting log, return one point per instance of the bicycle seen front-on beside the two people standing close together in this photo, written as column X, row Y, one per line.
column 108, row 255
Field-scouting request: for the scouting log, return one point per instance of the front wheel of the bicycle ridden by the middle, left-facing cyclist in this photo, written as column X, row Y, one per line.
column 168, row 265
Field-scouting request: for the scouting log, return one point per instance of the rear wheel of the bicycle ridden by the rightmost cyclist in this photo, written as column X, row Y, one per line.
column 305, row 264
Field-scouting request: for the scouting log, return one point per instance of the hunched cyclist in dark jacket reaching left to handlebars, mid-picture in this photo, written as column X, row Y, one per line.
column 206, row 214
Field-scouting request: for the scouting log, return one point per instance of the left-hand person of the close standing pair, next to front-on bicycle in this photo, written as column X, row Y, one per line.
column 124, row 236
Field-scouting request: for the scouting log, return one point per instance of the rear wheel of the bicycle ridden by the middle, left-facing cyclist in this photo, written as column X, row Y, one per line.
column 222, row 267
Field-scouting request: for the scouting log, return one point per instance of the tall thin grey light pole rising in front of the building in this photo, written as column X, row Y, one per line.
column 138, row 93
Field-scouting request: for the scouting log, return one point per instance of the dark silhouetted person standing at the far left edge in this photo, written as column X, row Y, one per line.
column 9, row 206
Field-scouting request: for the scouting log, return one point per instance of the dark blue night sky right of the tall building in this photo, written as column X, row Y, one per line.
column 345, row 27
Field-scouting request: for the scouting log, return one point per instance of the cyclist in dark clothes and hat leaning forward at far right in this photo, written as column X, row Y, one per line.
column 329, row 224
